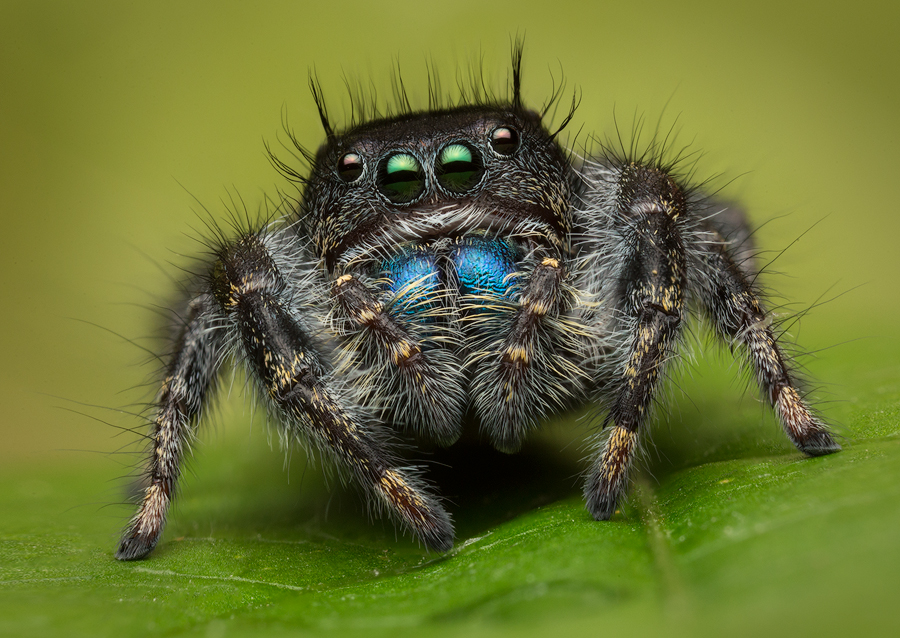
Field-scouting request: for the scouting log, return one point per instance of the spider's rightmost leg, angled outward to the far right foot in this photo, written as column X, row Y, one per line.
column 728, row 295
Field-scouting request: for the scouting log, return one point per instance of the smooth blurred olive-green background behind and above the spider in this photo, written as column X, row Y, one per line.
column 118, row 121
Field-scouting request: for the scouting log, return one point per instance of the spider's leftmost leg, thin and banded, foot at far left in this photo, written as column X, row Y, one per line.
column 184, row 391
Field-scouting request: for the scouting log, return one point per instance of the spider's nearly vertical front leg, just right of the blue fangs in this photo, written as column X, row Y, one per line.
column 649, row 291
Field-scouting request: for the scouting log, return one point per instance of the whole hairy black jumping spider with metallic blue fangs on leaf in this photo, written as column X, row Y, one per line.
column 458, row 263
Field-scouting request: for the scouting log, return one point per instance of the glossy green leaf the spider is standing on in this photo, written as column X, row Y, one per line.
column 756, row 538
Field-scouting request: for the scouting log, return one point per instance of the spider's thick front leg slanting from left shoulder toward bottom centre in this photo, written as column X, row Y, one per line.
column 286, row 362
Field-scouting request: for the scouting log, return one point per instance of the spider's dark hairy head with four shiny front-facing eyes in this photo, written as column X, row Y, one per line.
column 441, row 173
